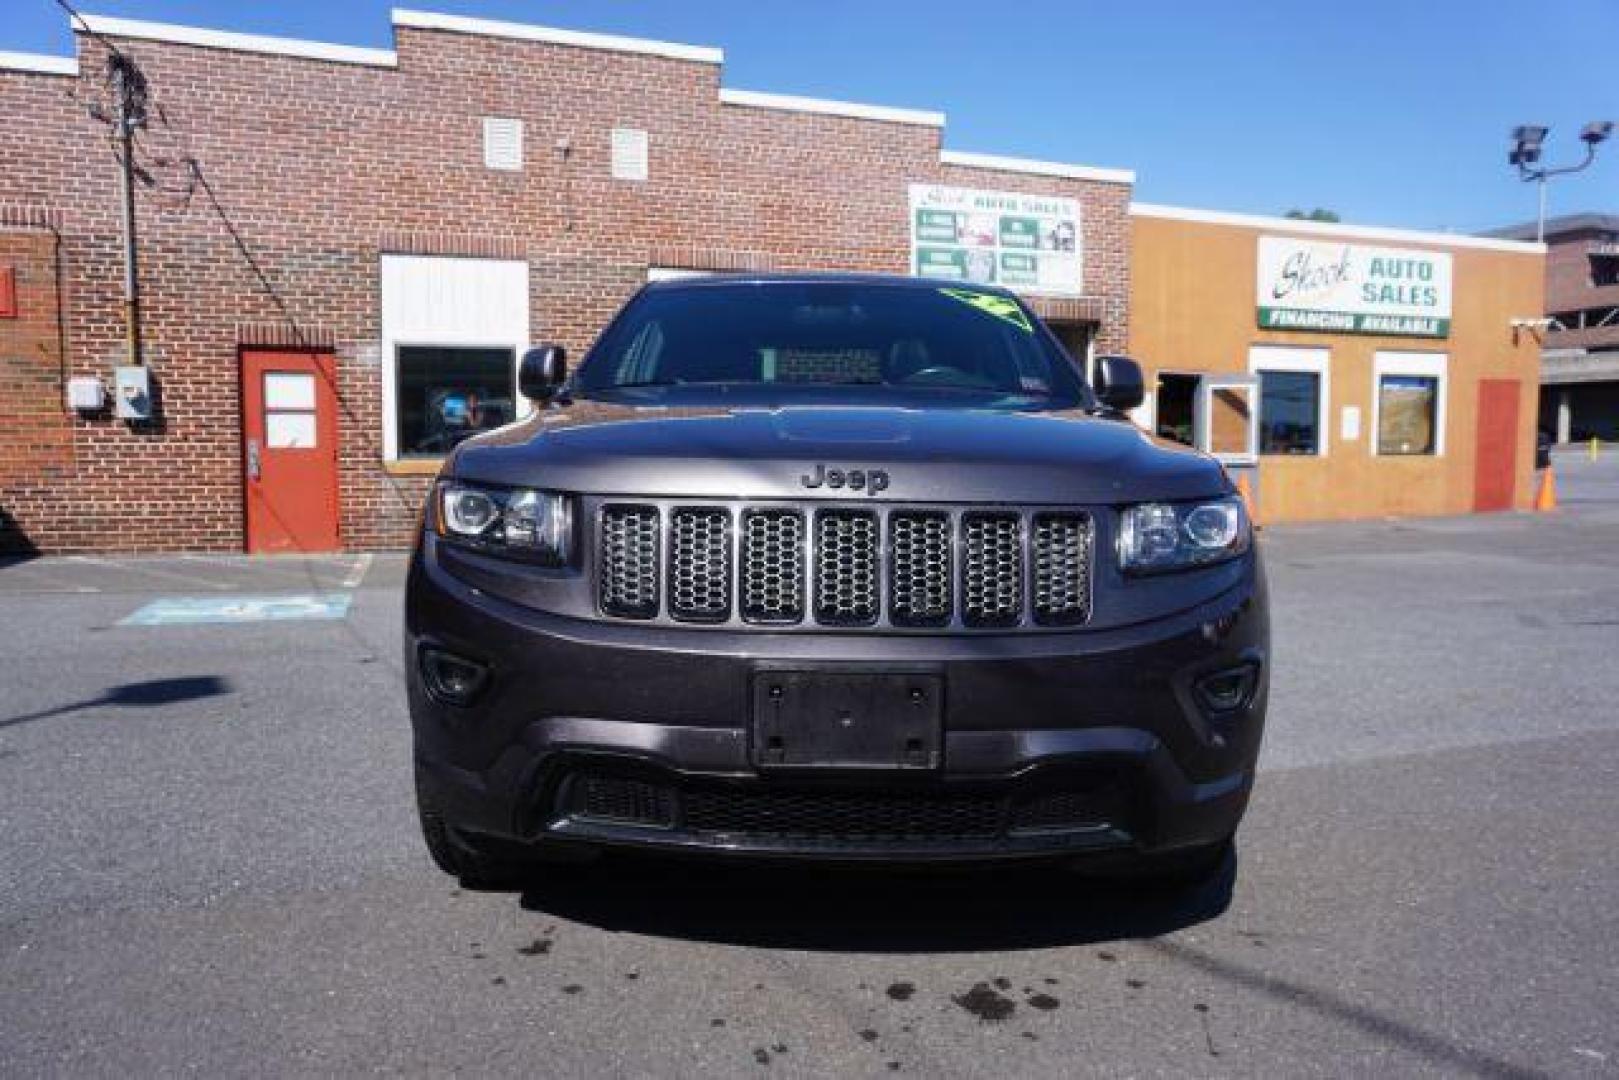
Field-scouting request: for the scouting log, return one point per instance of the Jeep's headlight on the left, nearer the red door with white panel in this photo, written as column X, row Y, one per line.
column 535, row 525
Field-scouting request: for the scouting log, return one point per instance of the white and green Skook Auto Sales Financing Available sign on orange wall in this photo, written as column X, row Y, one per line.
column 1353, row 289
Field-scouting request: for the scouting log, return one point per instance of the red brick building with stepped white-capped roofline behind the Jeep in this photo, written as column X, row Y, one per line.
column 545, row 174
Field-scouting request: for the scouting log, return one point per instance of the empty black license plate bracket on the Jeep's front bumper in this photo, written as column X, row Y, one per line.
column 869, row 721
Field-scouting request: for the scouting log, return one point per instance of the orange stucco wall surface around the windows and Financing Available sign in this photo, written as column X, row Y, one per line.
column 1192, row 308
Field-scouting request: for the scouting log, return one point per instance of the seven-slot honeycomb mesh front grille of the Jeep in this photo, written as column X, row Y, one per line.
column 794, row 566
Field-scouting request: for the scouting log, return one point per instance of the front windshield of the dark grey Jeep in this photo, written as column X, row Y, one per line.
column 797, row 339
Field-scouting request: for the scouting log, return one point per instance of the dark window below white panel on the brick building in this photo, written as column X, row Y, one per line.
column 449, row 394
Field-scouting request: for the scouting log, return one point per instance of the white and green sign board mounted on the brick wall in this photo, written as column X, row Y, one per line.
column 1026, row 242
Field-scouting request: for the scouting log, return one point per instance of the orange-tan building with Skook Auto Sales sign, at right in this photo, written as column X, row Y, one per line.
column 1348, row 372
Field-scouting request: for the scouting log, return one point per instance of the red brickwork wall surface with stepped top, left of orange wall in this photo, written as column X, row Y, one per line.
column 326, row 166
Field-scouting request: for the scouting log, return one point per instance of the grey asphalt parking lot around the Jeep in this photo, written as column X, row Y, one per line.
column 210, row 861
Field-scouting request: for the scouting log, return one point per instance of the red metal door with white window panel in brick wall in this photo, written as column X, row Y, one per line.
column 289, row 427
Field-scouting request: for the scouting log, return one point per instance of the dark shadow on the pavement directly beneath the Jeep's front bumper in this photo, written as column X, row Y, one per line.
column 988, row 909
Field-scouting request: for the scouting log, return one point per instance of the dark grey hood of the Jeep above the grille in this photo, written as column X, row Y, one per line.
column 757, row 453
